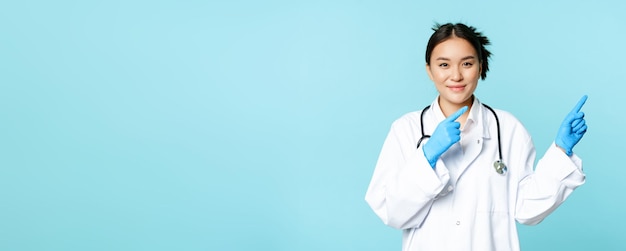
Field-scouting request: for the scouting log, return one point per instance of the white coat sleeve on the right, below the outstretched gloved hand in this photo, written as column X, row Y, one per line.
column 554, row 179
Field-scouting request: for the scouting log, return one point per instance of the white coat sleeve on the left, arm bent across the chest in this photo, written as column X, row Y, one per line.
column 404, row 186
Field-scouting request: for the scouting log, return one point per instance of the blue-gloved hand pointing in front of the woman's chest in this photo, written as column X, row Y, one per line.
column 445, row 135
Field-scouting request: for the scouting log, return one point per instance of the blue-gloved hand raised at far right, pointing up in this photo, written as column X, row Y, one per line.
column 572, row 129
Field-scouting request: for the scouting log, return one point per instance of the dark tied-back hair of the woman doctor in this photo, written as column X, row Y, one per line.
column 476, row 39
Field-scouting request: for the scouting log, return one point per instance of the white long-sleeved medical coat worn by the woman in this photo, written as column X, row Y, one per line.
column 463, row 203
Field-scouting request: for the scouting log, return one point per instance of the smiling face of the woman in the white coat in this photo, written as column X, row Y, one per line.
column 454, row 68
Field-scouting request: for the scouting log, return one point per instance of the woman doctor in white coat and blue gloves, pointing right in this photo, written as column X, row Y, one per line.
column 464, row 187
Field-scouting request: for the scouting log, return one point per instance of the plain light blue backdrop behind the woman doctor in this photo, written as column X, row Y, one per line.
column 256, row 125
